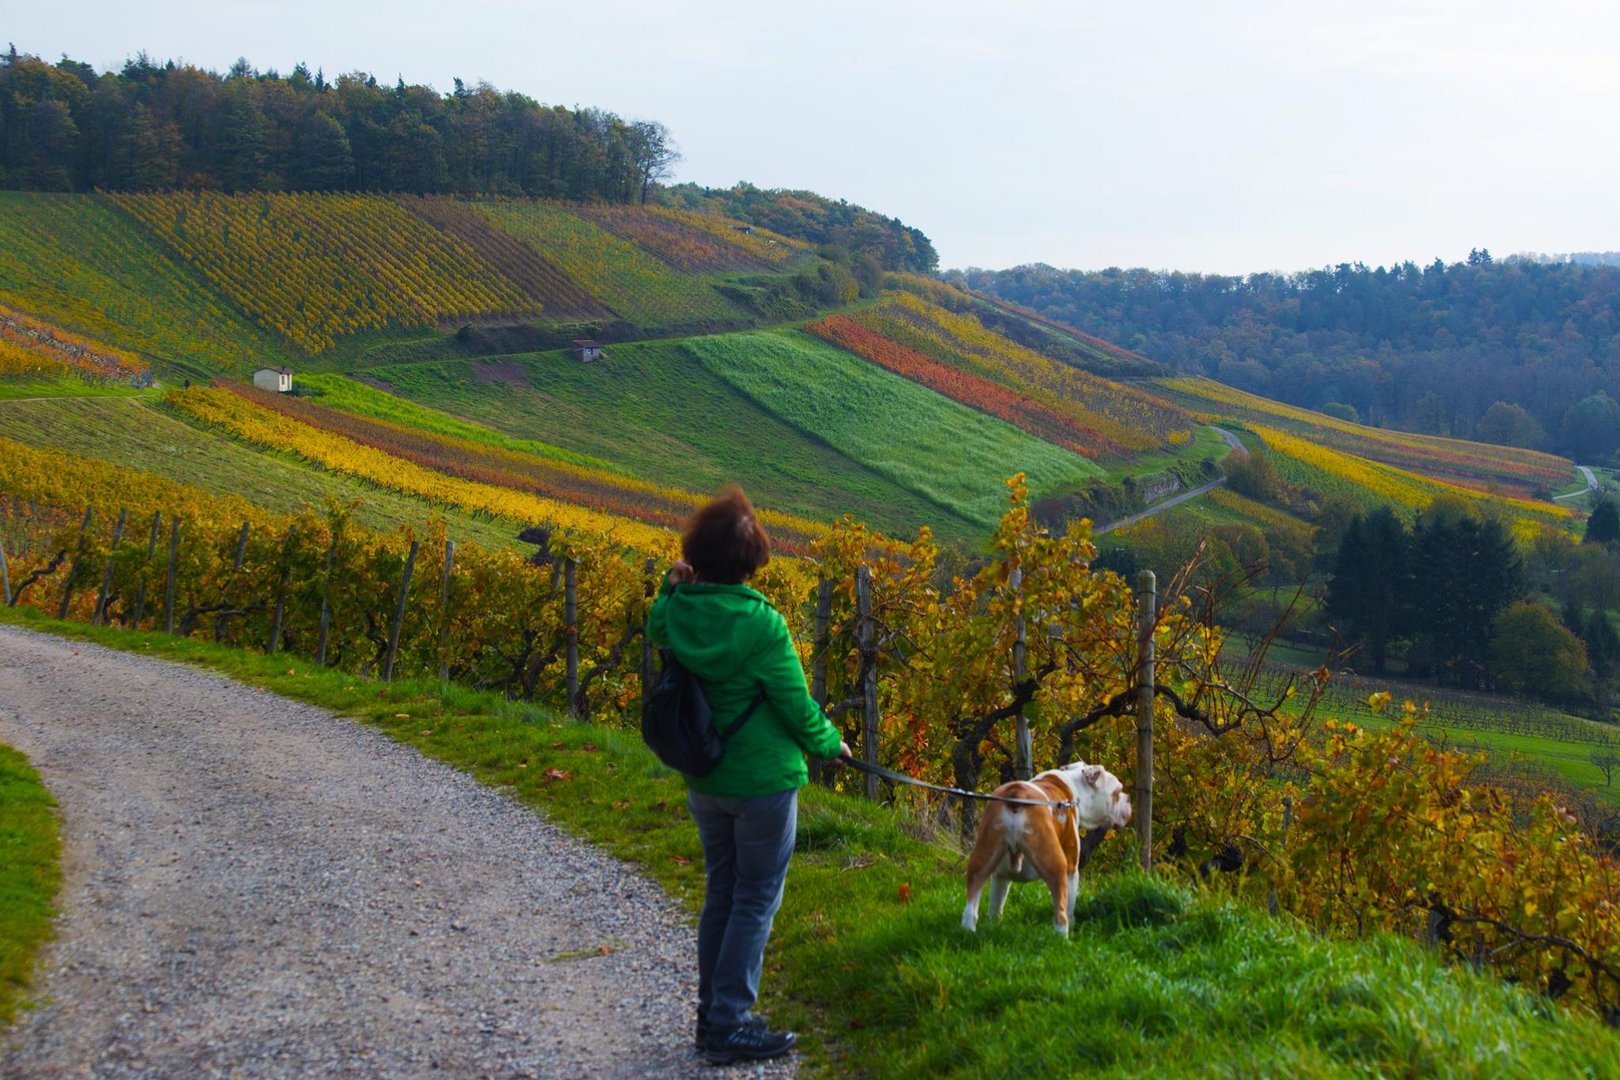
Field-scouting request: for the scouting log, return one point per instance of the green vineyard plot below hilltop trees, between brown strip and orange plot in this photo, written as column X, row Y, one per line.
column 616, row 271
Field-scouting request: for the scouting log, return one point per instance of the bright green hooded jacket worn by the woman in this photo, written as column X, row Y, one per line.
column 738, row 645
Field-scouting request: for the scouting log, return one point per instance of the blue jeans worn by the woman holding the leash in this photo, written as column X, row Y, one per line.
column 746, row 849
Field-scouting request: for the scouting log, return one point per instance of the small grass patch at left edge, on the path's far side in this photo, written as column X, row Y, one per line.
column 30, row 875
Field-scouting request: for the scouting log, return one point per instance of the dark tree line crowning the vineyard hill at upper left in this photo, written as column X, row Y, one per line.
column 160, row 127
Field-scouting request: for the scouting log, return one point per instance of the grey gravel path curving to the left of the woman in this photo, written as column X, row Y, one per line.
column 258, row 888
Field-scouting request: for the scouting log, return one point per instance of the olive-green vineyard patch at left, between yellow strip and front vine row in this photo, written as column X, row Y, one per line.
column 147, row 436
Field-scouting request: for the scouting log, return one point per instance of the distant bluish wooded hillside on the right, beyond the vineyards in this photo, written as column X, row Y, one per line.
column 1516, row 352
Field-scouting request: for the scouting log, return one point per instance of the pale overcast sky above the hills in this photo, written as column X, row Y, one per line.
column 1198, row 137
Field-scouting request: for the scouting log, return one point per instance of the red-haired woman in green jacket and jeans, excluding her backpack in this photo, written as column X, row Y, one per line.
column 748, row 809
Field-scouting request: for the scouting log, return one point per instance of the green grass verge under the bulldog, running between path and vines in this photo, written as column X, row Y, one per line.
column 1159, row 980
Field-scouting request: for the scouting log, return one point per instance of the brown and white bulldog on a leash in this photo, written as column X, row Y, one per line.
column 1020, row 843
